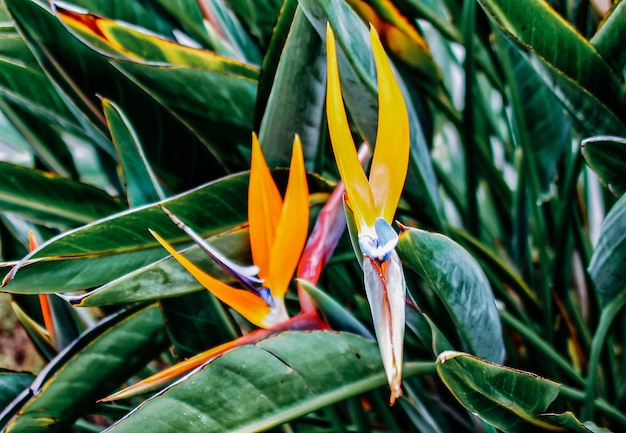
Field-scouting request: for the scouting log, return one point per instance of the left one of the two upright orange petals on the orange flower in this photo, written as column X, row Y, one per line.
column 264, row 207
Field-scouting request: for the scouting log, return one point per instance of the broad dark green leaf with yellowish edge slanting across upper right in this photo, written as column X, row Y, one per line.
column 584, row 83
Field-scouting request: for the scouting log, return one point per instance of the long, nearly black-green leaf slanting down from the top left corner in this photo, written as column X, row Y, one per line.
column 82, row 74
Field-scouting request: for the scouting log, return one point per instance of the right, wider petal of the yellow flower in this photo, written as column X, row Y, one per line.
column 391, row 155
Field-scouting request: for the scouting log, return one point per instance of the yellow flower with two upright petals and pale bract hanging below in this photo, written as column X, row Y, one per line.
column 374, row 200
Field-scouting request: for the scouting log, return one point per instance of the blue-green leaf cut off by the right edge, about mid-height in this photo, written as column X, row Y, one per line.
column 606, row 268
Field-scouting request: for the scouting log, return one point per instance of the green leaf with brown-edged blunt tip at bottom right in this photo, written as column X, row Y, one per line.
column 511, row 400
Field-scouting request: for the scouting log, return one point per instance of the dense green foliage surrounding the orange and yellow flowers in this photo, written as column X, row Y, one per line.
column 516, row 183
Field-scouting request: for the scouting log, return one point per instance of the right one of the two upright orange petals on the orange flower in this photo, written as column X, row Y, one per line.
column 292, row 226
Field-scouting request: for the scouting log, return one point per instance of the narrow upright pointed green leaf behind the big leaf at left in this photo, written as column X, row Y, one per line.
column 142, row 187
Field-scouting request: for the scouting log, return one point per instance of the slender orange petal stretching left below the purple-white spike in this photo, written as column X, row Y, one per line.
column 249, row 305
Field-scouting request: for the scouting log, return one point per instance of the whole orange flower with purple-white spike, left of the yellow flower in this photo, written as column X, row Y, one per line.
column 278, row 230
